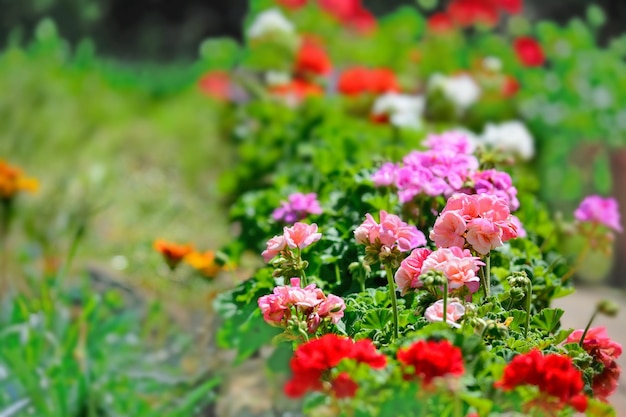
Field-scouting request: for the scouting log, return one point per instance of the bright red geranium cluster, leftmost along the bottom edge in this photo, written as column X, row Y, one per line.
column 313, row 362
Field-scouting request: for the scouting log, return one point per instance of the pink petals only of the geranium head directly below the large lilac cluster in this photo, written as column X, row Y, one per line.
column 391, row 233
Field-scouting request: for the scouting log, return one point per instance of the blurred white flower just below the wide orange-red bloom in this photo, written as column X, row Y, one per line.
column 403, row 110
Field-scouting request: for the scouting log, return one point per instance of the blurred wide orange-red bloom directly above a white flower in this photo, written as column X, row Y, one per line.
column 362, row 80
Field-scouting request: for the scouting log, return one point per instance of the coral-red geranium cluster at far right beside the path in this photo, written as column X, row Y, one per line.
column 605, row 351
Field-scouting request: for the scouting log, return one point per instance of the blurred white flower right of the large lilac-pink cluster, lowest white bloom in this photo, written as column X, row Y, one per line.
column 511, row 137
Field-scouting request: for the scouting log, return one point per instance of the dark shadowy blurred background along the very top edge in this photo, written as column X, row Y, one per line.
column 161, row 30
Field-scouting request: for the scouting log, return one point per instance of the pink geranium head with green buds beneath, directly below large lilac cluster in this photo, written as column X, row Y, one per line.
column 385, row 240
